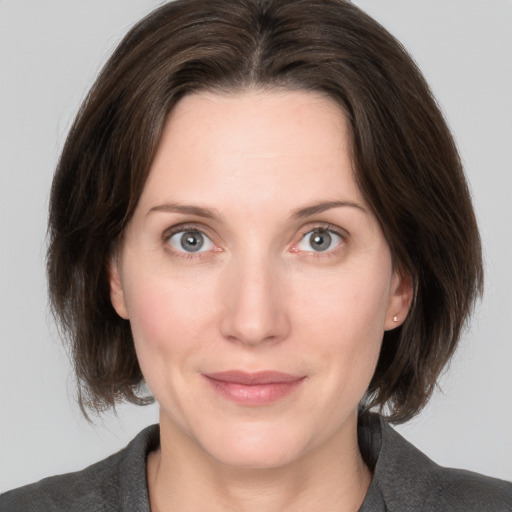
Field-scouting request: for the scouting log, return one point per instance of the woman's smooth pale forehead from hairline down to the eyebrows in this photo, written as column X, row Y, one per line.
column 250, row 146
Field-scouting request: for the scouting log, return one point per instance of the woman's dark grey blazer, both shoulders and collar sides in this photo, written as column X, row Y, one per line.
column 404, row 480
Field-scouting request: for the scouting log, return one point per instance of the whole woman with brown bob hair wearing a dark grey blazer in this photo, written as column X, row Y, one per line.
column 260, row 213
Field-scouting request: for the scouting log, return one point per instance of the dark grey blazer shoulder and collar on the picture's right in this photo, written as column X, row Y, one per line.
column 407, row 479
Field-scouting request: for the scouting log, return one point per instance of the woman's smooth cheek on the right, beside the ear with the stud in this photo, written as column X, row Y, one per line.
column 345, row 316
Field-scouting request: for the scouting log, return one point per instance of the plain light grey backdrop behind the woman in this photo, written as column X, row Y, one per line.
column 50, row 51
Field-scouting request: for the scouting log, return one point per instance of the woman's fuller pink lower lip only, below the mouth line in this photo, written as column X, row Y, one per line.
column 254, row 394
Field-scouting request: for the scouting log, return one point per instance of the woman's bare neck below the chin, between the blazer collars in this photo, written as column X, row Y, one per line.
column 183, row 477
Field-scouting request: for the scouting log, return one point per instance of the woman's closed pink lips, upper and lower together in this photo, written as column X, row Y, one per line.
column 260, row 388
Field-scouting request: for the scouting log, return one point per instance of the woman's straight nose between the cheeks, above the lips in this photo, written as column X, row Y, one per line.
column 254, row 310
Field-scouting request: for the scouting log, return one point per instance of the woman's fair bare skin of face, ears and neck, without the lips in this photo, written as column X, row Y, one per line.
column 259, row 295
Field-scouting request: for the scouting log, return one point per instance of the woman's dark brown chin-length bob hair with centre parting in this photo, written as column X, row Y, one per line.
column 405, row 161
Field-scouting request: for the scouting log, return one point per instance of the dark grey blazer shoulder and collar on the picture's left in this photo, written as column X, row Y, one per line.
column 102, row 486
